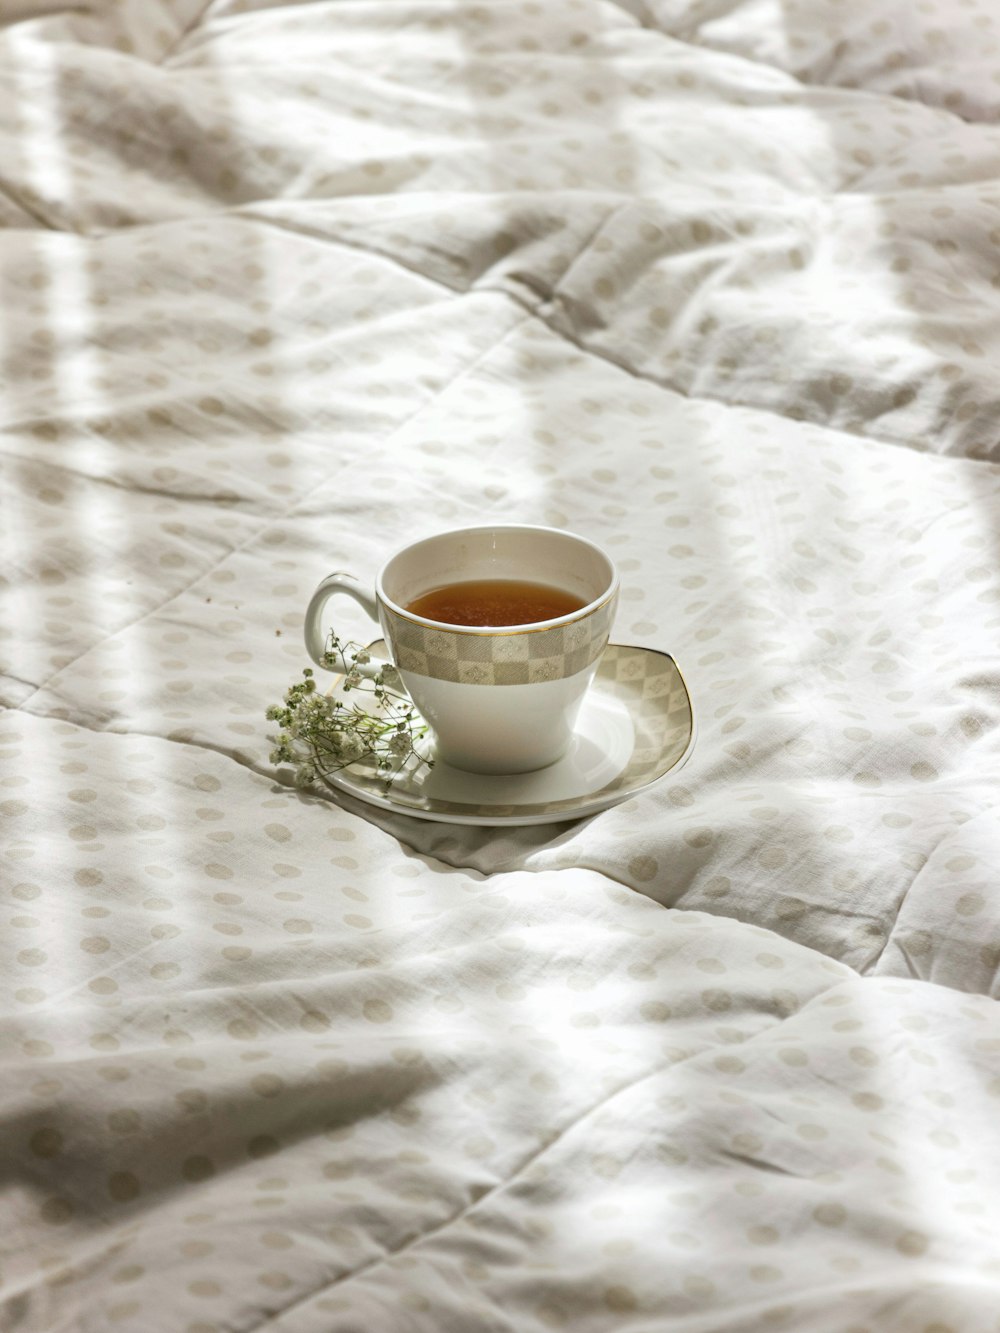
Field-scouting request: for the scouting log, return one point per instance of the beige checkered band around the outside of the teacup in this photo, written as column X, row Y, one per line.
column 515, row 657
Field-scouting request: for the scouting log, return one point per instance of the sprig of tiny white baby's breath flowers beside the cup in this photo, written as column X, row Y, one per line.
column 322, row 735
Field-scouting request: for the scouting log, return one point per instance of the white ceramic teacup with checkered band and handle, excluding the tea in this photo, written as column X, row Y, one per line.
column 499, row 700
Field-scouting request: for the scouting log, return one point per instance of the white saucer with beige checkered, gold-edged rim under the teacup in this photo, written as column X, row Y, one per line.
column 637, row 724
